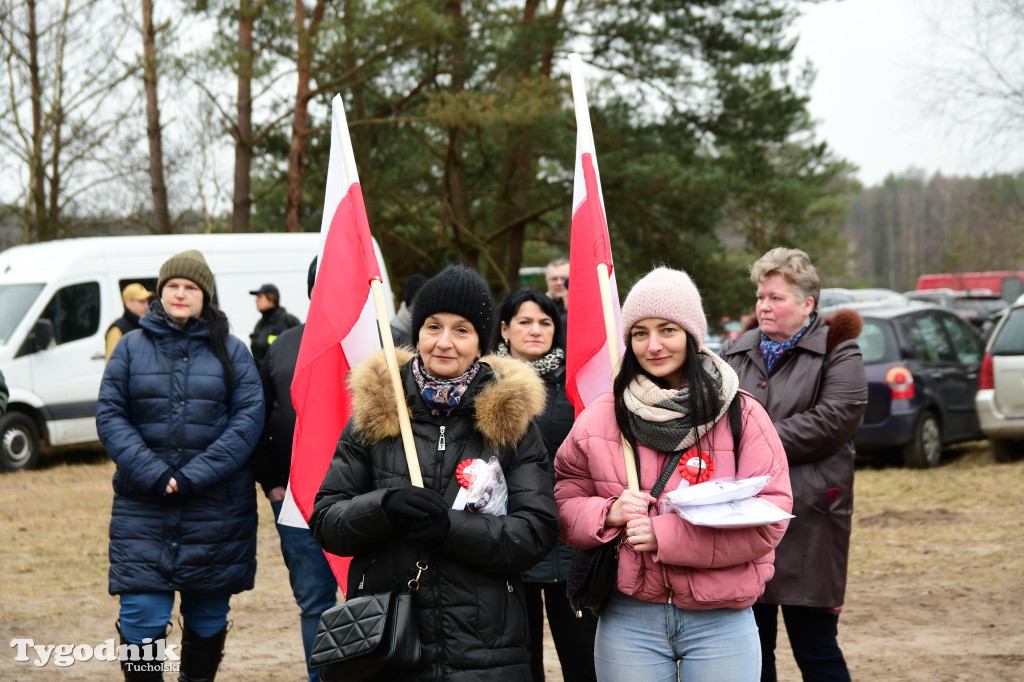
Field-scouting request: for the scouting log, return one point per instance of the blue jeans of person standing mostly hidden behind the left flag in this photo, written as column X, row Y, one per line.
column 314, row 584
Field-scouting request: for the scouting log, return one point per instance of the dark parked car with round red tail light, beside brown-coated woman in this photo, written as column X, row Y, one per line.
column 922, row 364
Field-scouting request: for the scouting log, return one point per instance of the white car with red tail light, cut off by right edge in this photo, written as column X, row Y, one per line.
column 1001, row 387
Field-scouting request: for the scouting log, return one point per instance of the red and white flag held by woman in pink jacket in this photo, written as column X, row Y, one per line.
column 589, row 369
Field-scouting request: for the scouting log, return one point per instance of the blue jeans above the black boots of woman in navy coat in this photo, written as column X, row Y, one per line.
column 147, row 615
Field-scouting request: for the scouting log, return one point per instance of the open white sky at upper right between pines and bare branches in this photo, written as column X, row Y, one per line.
column 872, row 58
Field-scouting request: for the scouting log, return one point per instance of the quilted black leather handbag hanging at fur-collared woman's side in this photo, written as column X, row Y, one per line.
column 368, row 636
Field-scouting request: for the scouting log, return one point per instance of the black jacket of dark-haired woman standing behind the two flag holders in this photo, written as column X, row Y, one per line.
column 556, row 424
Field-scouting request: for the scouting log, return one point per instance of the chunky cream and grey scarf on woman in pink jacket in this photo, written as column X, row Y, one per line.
column 659, row 415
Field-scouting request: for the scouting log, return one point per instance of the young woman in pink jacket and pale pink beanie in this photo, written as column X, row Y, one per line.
column 681, row 610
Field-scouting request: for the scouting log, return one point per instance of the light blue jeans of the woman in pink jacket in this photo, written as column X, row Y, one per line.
column 641, row 641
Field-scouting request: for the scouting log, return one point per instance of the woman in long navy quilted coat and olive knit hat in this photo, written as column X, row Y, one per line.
column 181, row 410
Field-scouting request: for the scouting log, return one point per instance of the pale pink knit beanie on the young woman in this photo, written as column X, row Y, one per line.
column 670, row 295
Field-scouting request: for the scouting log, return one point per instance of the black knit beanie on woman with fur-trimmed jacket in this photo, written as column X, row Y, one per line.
column 459, row 290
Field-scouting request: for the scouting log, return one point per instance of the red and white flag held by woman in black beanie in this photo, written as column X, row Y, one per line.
column 342, row 327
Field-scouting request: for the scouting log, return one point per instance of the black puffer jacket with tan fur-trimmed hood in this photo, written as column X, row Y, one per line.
column 471, row 609
